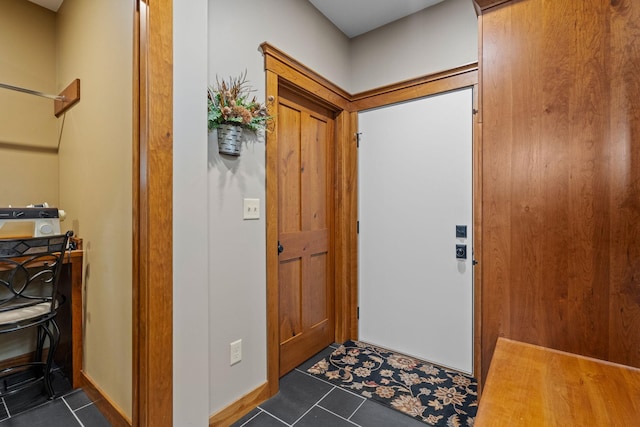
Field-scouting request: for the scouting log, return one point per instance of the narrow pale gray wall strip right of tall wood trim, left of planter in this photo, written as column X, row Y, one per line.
column 190, row 237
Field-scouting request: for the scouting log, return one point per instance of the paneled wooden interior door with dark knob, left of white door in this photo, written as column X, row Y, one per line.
column 305, row 222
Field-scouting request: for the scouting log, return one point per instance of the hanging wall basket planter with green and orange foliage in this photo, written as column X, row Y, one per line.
column 231, row 110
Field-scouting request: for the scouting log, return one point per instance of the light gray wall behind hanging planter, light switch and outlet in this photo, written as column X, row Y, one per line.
column 237, row 247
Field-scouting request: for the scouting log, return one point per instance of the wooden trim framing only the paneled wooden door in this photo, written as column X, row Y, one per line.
column 282, row 70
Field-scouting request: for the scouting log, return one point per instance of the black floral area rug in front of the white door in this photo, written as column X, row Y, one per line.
column 429, row 393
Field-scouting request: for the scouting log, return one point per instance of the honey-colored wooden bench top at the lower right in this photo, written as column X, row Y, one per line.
column 528, row 385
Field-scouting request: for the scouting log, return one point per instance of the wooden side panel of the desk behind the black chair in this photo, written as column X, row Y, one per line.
column 69, row 318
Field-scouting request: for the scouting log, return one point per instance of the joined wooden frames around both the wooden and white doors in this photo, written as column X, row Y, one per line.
column 283, row 69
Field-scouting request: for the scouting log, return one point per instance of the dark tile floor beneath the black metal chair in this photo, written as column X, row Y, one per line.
column 32, row 408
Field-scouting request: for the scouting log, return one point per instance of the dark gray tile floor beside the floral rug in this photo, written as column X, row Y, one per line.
column 307, row 401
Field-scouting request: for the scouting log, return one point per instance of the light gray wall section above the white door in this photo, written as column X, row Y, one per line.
column 435, row 39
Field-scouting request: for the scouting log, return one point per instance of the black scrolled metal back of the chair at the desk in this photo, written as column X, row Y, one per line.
column 29, row 272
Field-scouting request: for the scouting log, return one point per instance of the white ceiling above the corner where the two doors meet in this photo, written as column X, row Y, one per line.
column 355, row 17
